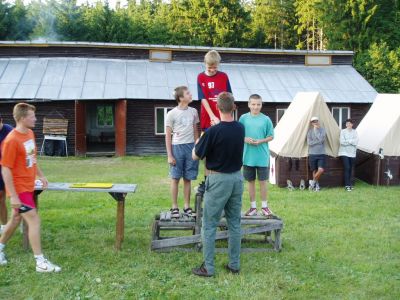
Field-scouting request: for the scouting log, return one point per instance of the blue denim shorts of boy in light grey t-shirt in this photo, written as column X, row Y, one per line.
column 185, row 166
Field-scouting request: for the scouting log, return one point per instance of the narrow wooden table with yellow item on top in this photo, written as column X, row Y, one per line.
column 118, row 192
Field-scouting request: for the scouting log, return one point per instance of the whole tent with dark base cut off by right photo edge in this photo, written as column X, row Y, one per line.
column 379, row 133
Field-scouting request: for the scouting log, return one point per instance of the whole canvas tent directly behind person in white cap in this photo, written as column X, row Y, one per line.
column 289, row 149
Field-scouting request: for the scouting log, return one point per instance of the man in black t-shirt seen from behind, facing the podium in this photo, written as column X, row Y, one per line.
column 222, row 146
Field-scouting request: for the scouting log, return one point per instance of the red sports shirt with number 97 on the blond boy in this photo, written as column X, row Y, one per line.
column 209, row 87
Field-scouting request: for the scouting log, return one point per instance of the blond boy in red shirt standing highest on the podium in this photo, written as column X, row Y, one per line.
column 209, row 85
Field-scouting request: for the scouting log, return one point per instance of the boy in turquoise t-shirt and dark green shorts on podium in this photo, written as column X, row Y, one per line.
column 259, row 131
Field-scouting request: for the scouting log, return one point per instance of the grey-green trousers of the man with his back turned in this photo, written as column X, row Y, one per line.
column 223, row 192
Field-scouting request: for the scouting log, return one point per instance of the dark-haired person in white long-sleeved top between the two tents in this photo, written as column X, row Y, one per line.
column 347, row 151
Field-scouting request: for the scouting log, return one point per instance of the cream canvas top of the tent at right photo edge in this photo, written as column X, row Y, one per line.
column 380, row 128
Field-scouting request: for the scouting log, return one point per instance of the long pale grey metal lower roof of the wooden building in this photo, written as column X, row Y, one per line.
column 83, row 78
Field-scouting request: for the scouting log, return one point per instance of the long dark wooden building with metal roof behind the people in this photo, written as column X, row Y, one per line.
column 116, row 96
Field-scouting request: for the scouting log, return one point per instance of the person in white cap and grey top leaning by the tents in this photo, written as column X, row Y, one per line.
column 316, row 152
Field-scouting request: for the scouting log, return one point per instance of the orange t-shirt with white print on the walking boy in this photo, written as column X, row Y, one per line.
column 19, row 154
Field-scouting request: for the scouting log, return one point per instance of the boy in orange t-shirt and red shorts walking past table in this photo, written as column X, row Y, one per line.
column 19, row 170
